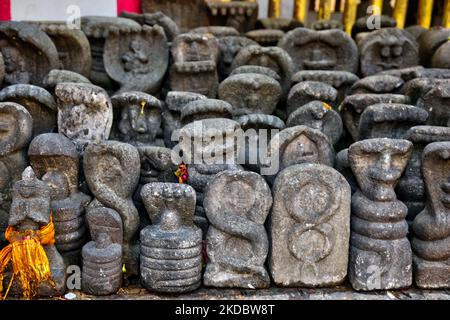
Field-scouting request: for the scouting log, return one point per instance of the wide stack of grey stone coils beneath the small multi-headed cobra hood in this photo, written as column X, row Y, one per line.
column 171, row 261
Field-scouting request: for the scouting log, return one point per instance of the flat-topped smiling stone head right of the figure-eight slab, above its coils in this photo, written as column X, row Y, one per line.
column 378, row 165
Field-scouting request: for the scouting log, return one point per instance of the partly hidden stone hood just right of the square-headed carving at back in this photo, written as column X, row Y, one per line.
column 230, row 47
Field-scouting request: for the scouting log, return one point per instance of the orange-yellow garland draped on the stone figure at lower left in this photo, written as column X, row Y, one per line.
column 28, row 258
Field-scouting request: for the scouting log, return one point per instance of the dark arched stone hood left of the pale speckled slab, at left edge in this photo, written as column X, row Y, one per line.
column 39, row 103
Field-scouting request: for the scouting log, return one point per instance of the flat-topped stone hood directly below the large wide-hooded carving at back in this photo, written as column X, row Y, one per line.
column 340, row 80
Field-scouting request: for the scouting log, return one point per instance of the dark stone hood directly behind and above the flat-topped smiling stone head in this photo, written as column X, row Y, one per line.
column 390, row 120
